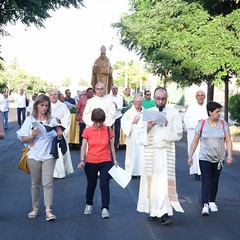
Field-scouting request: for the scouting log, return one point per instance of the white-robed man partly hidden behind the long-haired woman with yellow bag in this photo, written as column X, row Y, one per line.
column 61, row 112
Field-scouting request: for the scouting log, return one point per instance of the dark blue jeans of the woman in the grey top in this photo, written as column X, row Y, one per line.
column 210, row 178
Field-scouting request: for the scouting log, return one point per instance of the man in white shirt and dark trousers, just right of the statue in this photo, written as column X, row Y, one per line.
column 118, row 101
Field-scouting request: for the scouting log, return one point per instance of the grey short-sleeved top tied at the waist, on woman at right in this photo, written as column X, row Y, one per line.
column 212, row 147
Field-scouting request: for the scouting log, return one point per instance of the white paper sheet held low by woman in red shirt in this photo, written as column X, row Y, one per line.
column 121, row 176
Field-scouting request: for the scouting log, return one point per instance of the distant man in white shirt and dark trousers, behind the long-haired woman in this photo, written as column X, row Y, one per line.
column 21, row 106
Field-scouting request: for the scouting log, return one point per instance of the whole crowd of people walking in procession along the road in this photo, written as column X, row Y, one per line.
column 148, row 127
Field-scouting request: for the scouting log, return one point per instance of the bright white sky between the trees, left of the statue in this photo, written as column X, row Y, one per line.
column 70, row 42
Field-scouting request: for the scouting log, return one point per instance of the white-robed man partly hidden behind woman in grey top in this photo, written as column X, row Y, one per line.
column 194, row 113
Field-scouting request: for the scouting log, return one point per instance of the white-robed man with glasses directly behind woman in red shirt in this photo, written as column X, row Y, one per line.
column 100, row 100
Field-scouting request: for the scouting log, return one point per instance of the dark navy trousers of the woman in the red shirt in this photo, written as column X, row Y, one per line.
column 91, row 171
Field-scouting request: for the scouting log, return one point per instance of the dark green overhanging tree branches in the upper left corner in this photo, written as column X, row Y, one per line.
column 31, row 12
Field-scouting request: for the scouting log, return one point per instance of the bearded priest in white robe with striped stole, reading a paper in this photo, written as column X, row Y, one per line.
column 157, row 191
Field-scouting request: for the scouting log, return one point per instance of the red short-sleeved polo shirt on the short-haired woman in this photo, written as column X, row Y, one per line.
column 98, row 145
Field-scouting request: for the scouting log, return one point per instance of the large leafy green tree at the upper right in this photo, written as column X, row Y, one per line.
column 185, row 41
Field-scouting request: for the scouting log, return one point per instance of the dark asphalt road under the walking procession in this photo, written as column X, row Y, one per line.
column 125, row 222
